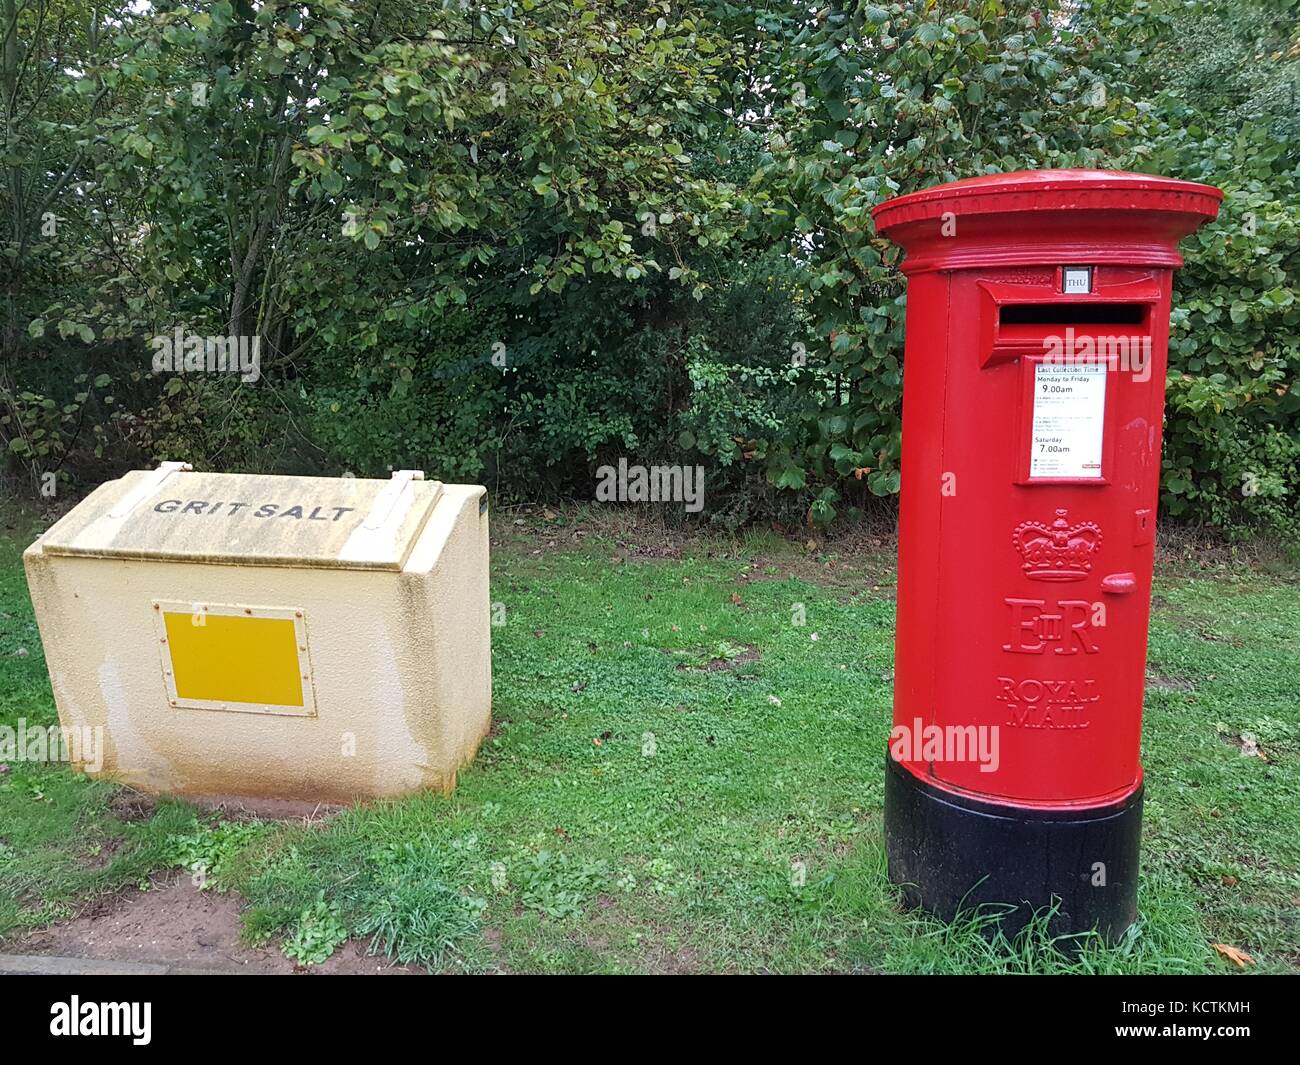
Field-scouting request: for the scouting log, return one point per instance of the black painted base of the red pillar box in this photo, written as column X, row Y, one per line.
column 954, row 855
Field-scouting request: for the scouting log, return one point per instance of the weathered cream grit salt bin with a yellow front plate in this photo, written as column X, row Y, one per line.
column 322, row 639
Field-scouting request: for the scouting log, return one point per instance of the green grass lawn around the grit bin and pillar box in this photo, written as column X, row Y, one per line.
column 681, row 782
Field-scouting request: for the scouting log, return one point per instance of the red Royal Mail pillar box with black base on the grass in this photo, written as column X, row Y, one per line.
column 1038, row 324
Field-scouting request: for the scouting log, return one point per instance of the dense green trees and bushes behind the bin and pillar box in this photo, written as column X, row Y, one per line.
column 509, row 241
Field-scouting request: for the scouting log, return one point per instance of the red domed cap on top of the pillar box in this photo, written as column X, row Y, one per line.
column 1047, row 217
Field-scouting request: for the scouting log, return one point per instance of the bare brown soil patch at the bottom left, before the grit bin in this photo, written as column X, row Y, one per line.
column 175, row 924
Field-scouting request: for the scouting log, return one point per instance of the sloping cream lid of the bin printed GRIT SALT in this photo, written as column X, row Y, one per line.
column 174, row 514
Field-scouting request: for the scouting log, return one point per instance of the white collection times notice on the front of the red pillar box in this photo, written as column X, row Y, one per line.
column 1069, row 417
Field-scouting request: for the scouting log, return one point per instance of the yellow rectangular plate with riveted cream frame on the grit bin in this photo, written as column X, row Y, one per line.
column 232, row 657
